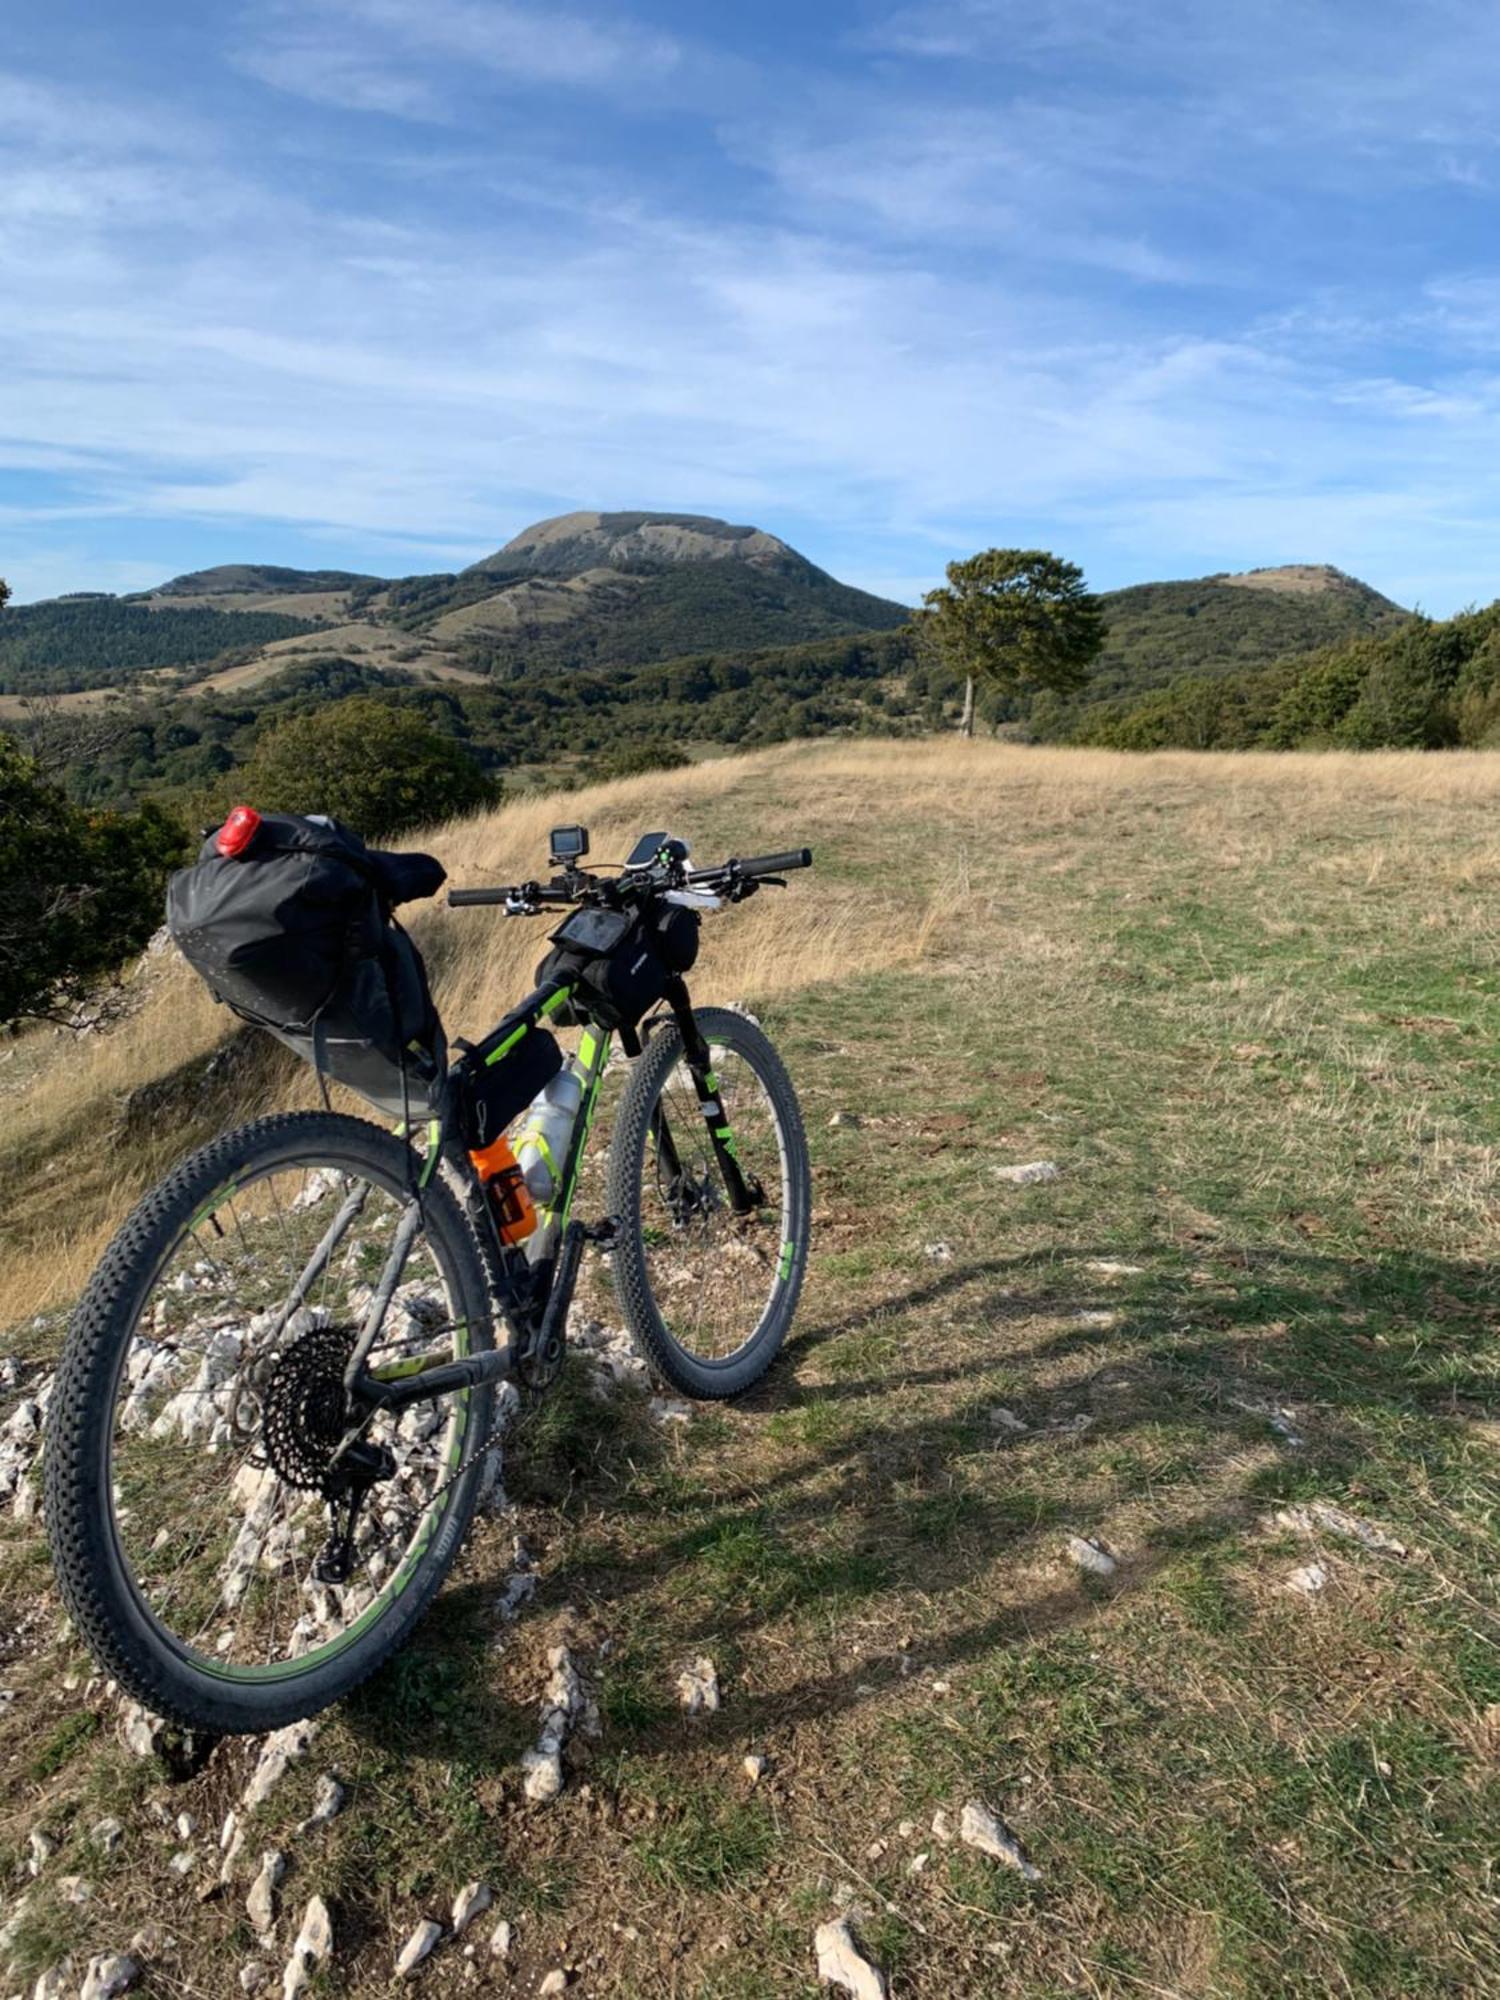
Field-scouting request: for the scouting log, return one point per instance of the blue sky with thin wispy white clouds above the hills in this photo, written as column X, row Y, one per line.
column 375, row 283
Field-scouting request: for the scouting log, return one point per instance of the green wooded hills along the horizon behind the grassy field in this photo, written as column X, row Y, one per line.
column 599, row 643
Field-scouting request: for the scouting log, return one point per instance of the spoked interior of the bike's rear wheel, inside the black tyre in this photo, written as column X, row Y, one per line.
column 227, row 1545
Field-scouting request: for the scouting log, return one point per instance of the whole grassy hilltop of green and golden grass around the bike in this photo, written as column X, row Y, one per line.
column 1247, row 1007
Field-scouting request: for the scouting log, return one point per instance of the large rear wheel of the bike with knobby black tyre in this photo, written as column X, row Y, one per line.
column 199, row 1421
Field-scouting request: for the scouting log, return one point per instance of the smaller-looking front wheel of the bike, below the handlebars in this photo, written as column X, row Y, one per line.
column 709, row 1293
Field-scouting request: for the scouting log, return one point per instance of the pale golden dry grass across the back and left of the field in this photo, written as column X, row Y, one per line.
column 873, row 801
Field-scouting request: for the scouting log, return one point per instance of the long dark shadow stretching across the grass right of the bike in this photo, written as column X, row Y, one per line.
column 1091, row 1367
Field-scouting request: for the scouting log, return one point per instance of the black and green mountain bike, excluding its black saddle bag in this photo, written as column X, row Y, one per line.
column 279, row 1399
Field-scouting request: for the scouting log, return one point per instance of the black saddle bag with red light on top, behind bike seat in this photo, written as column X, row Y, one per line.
column 297, row 937
